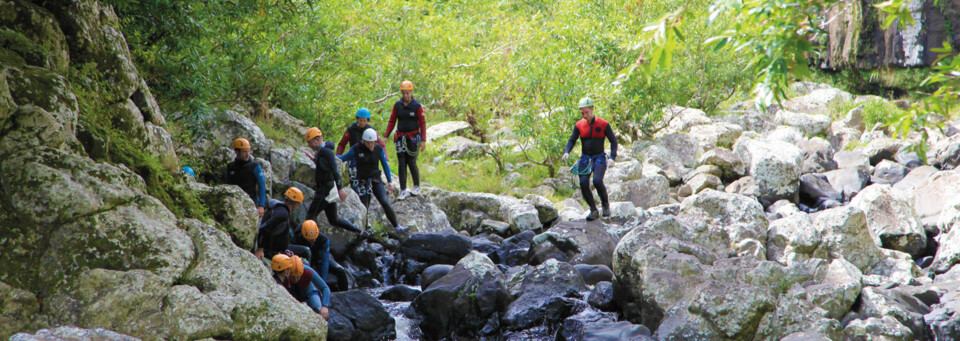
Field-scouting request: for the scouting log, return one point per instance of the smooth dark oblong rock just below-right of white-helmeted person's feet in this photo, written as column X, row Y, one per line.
column 436, row 248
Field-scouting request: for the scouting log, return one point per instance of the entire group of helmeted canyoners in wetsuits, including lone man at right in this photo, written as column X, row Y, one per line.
column 299, row 254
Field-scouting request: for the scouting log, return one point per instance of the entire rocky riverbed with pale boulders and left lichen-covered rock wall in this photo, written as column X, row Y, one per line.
column 795, row 223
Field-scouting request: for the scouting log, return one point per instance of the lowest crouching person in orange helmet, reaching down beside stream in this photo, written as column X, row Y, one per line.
column 302, row 282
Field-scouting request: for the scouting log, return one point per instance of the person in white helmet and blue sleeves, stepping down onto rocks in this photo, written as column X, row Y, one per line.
column 367, row 155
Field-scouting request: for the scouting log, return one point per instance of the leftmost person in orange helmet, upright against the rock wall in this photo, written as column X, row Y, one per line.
column 245, row 172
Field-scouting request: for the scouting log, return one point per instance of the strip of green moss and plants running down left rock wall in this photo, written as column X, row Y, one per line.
column 99, row 119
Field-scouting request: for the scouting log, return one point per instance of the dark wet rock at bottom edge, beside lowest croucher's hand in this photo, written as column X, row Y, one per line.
column 355, row 315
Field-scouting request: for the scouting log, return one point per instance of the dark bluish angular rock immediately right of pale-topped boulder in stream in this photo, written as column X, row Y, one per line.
column 545, row 296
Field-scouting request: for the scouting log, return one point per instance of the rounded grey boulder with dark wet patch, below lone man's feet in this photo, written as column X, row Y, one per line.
column 577, row 242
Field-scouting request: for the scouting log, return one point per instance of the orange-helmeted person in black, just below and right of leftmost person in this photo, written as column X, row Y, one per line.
column 273, row 235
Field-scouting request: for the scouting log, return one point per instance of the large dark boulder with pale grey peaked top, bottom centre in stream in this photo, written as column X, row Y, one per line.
column 466, row 302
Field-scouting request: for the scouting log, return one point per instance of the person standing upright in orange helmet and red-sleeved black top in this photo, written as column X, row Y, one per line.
column 411, row 132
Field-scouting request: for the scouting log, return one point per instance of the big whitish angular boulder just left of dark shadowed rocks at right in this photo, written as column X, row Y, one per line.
column 774, row 164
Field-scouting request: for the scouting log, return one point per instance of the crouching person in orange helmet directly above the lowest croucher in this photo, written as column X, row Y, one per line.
column 310, row 244
